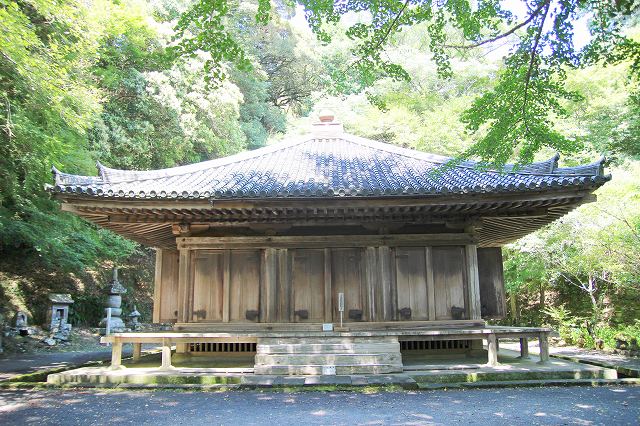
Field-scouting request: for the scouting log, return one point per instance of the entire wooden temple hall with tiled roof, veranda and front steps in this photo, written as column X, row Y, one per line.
column 328, row 250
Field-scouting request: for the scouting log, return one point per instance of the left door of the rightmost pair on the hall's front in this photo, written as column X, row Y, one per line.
column 411, row 281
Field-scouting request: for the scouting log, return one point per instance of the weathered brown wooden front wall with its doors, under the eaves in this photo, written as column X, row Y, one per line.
column 298, row 284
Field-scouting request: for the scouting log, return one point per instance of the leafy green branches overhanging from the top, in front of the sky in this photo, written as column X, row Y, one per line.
column 515, row 118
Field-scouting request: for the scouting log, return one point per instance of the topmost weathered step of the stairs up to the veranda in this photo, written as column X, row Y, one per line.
column 327, row 348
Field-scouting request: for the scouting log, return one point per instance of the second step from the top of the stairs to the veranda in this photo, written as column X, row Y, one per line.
column 328, row 359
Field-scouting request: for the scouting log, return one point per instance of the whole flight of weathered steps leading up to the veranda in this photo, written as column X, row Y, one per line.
column 308, row 355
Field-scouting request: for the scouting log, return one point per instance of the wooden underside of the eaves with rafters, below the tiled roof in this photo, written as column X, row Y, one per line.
column 495, row 221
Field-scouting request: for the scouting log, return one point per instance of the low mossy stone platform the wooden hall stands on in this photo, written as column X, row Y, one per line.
column 417, row 373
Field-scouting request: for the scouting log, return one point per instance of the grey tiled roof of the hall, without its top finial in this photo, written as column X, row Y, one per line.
column 321, row 167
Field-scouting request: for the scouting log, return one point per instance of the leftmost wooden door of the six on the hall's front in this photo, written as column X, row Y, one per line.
column 208, row 268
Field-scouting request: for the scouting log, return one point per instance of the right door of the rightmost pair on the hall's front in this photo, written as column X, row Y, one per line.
column 449, row 280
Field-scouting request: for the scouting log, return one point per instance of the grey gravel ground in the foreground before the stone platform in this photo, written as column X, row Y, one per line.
column 582, row 406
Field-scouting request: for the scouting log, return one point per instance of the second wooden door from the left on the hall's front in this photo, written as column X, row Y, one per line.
column 244, row 286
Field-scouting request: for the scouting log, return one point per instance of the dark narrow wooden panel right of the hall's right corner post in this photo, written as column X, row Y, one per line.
column 492, row 297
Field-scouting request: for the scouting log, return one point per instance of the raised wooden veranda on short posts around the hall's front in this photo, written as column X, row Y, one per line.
column 492, row 334
